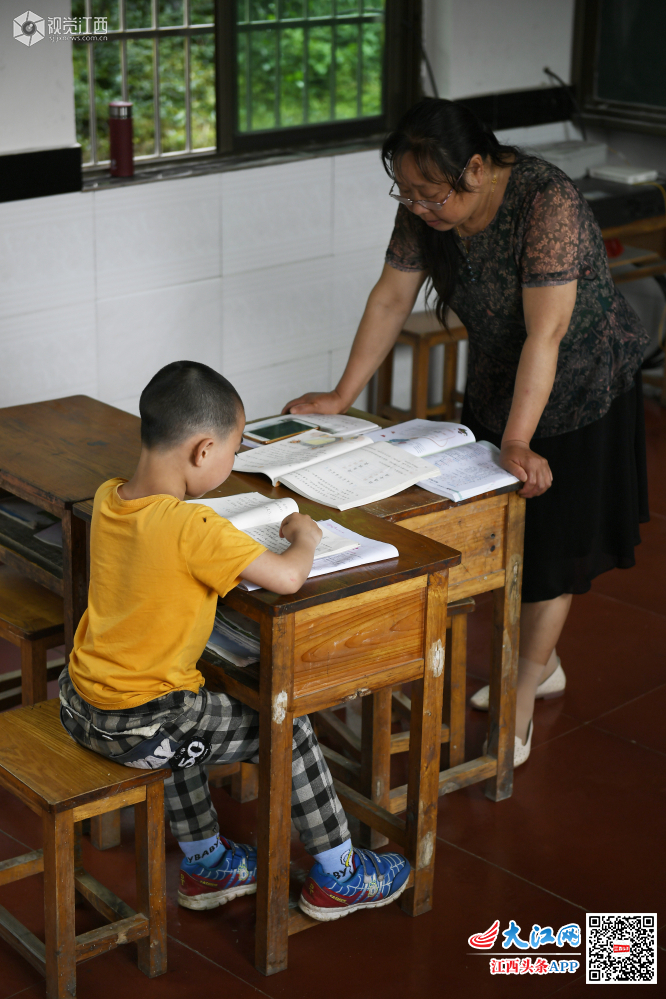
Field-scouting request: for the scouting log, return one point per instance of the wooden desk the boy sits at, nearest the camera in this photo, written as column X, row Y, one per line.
column 350, row 633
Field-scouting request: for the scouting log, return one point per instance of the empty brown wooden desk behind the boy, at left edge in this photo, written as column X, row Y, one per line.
column 54, row 454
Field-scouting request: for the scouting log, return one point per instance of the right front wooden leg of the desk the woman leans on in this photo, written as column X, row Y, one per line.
column 504, row 667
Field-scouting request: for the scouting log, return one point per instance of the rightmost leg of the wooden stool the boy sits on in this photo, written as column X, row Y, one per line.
column 151, row 879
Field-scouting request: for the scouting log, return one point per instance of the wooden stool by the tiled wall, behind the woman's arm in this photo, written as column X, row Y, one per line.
column 421, row 332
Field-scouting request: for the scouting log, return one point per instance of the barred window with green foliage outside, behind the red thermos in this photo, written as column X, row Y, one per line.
column 237, row 76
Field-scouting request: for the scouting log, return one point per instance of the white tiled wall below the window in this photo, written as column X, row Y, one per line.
column 261, row 273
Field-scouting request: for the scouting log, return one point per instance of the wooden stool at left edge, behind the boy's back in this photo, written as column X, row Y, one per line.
column 33, row 618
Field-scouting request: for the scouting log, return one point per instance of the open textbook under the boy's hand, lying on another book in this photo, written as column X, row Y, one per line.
column 260, row 518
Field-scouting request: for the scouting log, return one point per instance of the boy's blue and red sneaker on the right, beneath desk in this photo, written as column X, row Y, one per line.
column 378, row 879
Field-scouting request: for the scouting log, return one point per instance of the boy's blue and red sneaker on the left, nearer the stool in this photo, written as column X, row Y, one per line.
column 207, row 887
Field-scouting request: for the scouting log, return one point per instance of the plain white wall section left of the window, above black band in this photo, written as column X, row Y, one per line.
column 36, row 84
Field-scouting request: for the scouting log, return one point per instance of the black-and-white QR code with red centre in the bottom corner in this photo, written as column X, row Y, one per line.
column 621, row 947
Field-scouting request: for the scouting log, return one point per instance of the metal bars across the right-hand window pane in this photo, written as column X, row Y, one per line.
column 245, row 27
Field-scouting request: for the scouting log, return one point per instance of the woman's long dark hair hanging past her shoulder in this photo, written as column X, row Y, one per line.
column 442, row 137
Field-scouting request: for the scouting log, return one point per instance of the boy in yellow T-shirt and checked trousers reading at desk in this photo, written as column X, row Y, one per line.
column 133, row 692
